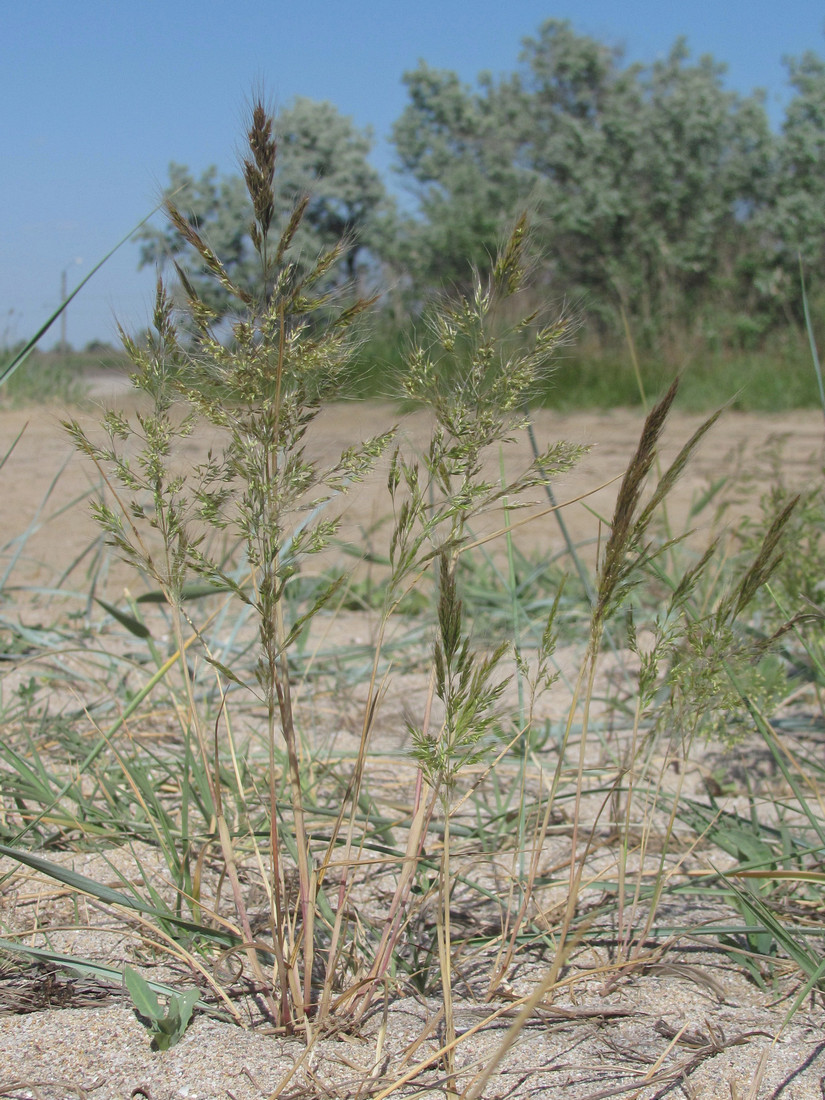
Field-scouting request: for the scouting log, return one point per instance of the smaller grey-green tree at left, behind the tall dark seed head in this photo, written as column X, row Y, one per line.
column 323, row 158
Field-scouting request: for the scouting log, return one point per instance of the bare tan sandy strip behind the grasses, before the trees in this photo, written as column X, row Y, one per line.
column 43, row 475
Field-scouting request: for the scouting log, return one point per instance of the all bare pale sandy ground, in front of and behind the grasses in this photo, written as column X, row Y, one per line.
column 687, row 1024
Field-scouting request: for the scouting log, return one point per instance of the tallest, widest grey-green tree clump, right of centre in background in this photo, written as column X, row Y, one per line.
column 644, row 181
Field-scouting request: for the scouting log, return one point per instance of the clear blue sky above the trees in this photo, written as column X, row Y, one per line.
column 100, row 96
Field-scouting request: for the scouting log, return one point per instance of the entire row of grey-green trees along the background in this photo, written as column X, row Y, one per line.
column 662, row 204
